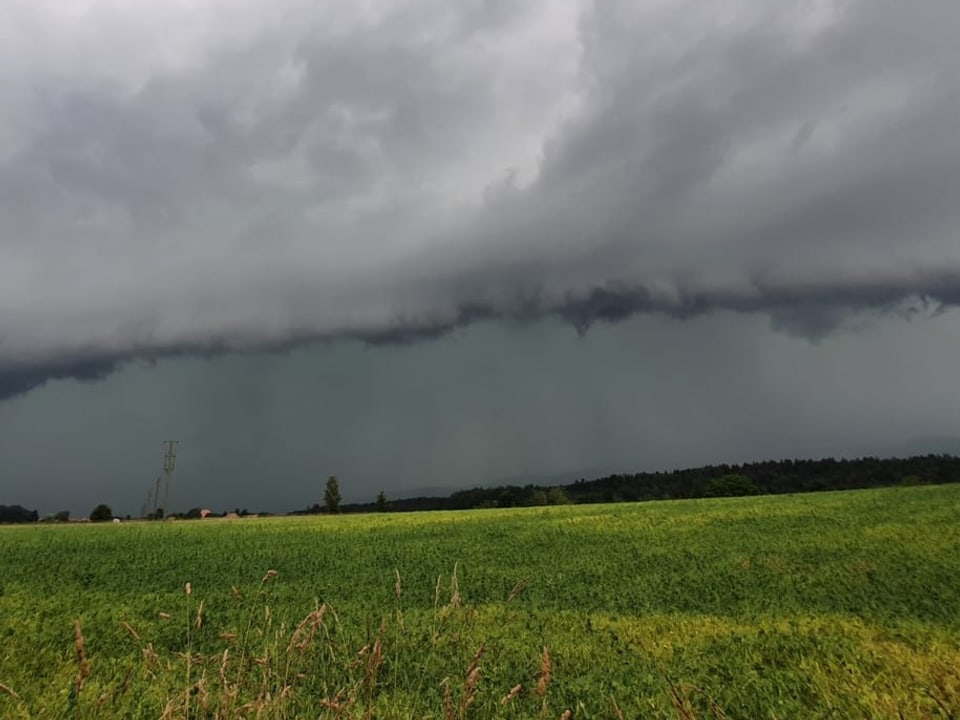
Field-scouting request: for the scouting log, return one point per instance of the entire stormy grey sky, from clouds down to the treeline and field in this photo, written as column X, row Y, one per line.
column 428, row 245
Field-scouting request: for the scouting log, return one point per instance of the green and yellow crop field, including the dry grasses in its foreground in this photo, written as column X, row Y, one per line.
column 832, row 605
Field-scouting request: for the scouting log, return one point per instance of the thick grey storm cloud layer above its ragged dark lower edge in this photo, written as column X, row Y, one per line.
column 190, row 179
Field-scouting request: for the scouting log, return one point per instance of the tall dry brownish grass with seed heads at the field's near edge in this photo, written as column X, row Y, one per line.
column 272, row 670
